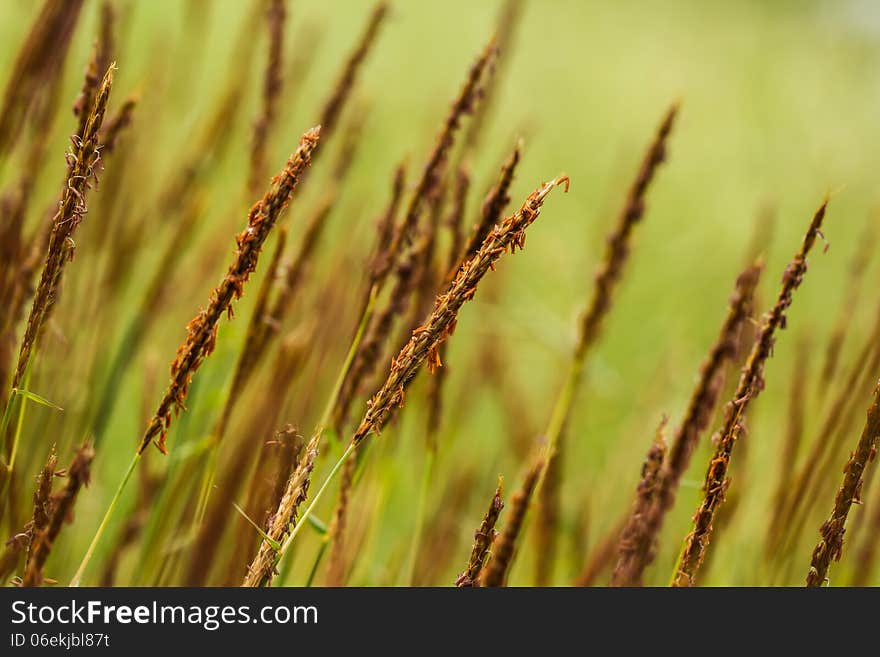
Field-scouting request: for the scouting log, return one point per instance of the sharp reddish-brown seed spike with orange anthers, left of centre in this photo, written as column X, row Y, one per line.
column 202, row 330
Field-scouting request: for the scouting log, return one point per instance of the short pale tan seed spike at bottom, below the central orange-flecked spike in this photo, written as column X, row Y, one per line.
column 262, row 568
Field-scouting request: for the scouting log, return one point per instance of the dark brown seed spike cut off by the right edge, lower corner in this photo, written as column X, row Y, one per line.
column 830, row 546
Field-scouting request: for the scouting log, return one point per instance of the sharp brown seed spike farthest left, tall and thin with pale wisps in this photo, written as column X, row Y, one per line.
column 82, row 170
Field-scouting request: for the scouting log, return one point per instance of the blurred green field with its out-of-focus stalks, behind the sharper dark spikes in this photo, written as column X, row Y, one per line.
column 778, row 106
